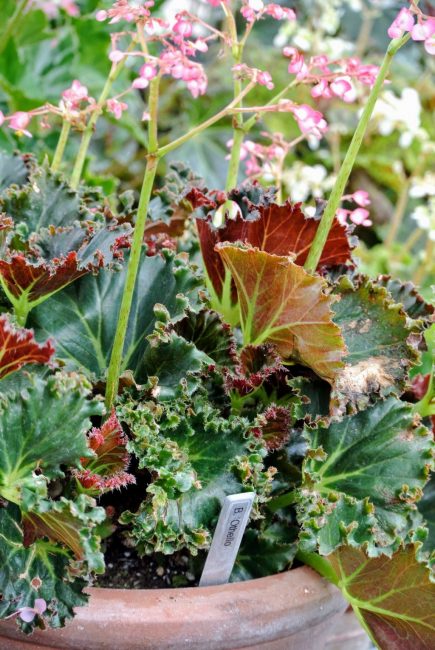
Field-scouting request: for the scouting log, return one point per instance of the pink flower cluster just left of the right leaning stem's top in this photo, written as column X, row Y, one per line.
column 330, row 78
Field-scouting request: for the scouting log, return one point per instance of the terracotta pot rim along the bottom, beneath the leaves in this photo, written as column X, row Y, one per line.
column 290, row 611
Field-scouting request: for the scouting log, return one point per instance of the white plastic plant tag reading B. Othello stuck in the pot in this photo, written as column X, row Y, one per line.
column 227, row 537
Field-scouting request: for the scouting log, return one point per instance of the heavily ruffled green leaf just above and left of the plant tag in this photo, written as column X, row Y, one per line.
column 196, row 457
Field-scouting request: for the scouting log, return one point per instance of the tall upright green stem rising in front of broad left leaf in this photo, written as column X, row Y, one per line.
column 136, row 248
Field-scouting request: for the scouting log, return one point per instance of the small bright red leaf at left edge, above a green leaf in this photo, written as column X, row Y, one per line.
column 18, row 348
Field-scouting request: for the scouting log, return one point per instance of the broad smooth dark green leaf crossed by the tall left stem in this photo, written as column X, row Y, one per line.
column 82, row 318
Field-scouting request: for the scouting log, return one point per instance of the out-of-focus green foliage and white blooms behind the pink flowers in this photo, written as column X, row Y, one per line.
column 40, row 57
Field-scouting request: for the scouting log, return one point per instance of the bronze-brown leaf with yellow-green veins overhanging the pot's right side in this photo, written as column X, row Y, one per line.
column 394, row 596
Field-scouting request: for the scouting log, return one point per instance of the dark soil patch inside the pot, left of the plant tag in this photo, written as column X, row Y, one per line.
column 126, row 570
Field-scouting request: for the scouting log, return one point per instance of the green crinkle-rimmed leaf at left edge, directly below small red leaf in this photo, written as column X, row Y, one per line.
column 41, row 429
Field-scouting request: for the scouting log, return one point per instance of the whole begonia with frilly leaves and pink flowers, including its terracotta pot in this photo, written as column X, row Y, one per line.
column 160, row 355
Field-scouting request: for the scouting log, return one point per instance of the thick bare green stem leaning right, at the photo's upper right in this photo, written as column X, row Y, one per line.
column 349, row 160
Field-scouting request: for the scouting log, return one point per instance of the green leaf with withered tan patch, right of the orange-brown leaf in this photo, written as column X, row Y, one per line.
column 381, row 344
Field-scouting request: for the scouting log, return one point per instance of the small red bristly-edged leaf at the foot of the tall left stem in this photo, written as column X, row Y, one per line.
column 107, row 470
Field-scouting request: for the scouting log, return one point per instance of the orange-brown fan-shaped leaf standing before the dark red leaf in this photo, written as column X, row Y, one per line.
column 281, row 303
